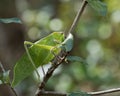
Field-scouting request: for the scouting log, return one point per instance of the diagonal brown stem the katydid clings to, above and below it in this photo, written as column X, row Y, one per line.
column 61, row 56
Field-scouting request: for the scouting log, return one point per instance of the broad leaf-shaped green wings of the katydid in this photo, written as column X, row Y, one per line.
column 41, row 54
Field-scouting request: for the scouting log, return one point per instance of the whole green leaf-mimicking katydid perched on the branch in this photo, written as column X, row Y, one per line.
column 40, row 54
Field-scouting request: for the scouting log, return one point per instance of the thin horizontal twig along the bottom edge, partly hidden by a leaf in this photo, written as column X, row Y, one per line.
column 107, row 92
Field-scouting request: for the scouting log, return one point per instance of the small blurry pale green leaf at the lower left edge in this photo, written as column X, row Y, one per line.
column 4, row 77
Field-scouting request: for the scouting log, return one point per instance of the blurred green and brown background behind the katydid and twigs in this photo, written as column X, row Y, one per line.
column 97, row 40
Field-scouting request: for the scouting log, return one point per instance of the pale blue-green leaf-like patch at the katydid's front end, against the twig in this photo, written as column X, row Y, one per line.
column 67, row 44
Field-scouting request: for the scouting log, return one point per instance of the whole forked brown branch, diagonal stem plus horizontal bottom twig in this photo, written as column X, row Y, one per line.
column 57, row 62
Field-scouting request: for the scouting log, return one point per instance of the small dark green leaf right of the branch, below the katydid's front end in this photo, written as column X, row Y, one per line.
column 76, row 59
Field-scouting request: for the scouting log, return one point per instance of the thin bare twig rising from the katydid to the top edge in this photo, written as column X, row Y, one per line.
column 76, row 20
